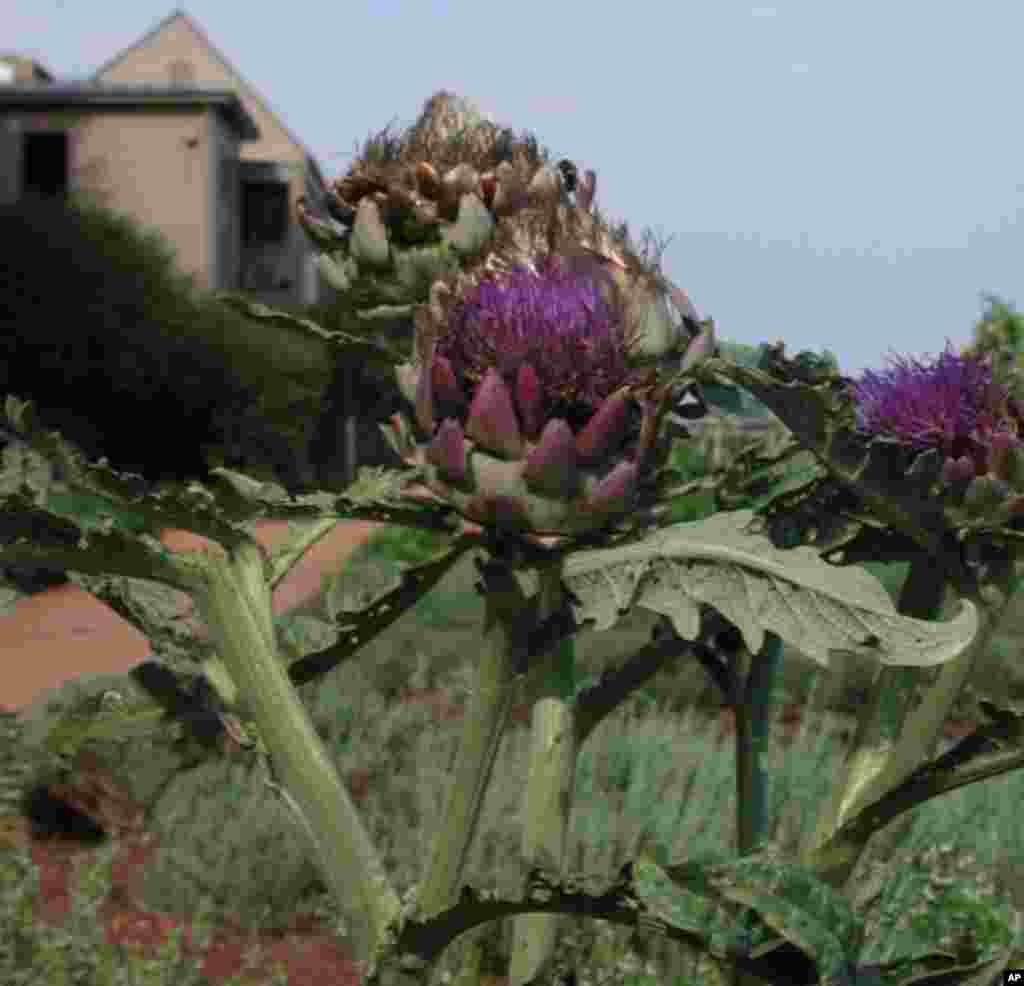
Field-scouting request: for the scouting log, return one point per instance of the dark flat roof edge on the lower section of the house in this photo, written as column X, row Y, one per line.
column 62, row 96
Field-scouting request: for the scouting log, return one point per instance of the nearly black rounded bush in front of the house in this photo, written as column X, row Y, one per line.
column 113, row 345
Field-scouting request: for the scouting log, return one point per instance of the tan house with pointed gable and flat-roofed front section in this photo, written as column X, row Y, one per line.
column 169, row 133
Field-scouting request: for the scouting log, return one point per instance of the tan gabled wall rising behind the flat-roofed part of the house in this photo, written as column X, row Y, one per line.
column 178, row 55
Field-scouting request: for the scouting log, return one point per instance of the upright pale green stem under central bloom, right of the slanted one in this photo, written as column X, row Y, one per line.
column 548, row 799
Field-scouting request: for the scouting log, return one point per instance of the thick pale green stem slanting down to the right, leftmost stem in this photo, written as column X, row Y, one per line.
column 235, row 601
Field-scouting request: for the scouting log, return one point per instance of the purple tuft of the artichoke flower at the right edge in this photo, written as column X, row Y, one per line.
column 953, row 404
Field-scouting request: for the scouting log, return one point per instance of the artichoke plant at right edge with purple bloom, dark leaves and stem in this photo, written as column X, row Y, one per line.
column 934, row 450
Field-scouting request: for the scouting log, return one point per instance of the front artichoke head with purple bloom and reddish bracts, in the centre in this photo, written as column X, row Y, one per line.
column 530, row 414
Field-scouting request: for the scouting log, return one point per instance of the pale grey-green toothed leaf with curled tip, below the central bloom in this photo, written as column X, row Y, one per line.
column 821, row 610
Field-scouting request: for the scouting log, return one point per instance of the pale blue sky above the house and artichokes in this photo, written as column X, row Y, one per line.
column 847, row 177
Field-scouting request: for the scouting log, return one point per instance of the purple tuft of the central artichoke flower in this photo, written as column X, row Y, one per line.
column 561, row 324
